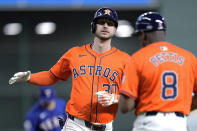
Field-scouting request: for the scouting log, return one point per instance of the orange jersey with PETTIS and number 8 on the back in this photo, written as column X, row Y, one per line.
column 161, row 77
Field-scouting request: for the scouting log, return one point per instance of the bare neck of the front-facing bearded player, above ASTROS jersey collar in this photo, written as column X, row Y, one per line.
column 101, row 46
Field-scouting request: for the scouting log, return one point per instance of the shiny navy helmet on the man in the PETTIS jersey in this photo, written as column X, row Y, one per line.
column 150, row 21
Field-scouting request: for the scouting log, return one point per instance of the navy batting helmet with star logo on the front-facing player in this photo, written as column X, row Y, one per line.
column 104, row 13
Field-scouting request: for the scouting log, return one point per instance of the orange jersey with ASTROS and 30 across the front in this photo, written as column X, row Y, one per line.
column 91, row 72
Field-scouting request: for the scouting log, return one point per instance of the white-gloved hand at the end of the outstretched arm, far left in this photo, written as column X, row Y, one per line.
column 20, row 77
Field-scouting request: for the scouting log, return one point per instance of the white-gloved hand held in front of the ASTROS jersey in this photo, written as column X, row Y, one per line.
column 107, row 99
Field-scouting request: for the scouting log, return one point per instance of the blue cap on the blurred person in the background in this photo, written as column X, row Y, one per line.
column 47, row 93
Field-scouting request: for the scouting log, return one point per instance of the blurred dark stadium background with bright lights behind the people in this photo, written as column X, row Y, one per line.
column 34, row 34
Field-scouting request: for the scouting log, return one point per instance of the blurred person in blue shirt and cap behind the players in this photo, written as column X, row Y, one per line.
column 46, row 113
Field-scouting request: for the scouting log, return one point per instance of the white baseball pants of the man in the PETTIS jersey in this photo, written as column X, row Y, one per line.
column 160, row 122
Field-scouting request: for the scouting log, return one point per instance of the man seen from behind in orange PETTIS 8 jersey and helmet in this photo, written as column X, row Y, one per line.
column 159, row 79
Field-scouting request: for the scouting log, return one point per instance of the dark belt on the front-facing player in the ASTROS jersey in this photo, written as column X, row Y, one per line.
column 100, row 127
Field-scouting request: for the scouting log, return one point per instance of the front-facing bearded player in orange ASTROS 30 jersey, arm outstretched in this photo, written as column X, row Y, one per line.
column 95, row 68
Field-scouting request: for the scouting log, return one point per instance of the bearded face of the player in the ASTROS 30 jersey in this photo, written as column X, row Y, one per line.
column 105, row 29
